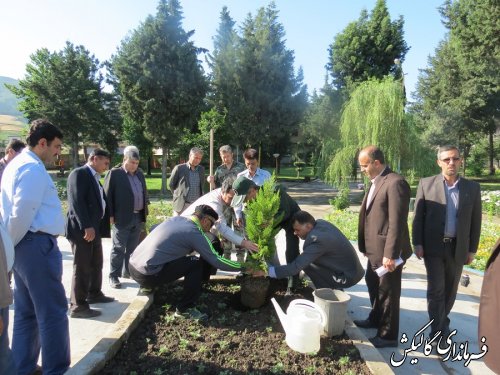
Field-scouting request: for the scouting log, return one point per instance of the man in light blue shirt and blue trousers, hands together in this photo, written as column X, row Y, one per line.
column 33, row 216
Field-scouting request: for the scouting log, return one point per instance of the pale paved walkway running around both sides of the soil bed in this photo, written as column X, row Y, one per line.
column 95, row 340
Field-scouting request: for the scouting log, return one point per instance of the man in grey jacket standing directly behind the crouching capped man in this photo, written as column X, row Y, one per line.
column 186, row 181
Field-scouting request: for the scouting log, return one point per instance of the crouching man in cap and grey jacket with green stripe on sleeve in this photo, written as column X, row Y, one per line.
column 165, row 256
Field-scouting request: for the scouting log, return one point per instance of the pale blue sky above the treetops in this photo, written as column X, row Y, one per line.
column 310, row 27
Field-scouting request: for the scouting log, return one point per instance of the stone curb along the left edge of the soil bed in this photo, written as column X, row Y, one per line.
column 108, row 346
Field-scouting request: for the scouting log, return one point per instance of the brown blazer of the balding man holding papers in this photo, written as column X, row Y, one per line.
column 383, row 228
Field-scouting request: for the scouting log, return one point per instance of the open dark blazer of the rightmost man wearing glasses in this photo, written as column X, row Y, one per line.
column 430, row 217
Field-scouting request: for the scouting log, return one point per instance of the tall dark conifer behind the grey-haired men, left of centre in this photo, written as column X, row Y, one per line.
column 160, row 78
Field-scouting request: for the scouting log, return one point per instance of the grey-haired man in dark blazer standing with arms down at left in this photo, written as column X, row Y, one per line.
column 128, row 200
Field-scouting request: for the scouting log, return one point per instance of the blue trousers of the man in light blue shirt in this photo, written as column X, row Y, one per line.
column 40, row 309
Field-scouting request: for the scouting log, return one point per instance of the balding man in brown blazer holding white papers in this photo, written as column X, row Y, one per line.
column 383, row 237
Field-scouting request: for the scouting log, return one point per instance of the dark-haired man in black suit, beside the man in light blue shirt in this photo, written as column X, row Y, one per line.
column 86, row 224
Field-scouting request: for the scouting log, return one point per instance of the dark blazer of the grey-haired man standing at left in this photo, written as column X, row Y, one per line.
column 121, row 197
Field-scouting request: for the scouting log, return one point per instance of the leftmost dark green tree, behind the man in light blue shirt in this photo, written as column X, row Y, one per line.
column 65, row 87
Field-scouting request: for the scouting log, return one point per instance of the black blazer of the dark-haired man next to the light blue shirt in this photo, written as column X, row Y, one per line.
column 85, row 206
